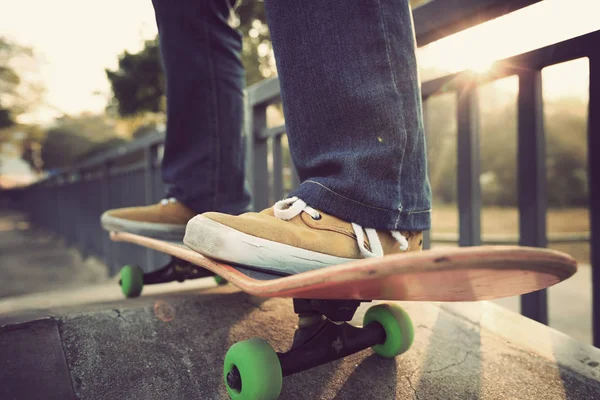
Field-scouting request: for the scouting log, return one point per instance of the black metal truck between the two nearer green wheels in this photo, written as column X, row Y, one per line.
column 323, row 335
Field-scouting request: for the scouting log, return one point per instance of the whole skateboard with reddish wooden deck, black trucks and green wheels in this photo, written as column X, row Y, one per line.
column 326, row 300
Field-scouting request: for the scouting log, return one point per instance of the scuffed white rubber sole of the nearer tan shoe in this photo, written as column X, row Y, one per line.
column 221, row 242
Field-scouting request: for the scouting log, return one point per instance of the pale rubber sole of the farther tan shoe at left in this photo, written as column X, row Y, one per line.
column 170, row 232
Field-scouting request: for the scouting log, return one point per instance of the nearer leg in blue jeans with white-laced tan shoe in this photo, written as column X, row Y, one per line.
column 352, row 103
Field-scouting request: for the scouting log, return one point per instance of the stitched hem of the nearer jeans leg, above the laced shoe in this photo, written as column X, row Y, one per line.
column 322, row 198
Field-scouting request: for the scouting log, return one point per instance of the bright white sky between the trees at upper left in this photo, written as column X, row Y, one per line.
column 74, row 42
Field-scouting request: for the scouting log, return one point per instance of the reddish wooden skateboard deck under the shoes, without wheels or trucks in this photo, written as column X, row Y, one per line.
column 448, row 275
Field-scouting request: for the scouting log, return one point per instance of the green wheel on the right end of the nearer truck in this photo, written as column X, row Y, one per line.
column 399, row 331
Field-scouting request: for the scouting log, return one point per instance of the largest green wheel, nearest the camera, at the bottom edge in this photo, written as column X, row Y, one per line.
column 252, row 371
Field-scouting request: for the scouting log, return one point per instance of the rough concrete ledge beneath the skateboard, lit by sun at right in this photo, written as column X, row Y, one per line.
column 172, row 346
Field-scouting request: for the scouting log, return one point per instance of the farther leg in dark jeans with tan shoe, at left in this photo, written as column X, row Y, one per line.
column 203, row 163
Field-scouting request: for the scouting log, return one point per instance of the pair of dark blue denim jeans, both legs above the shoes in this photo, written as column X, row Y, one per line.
column 351, row 98
